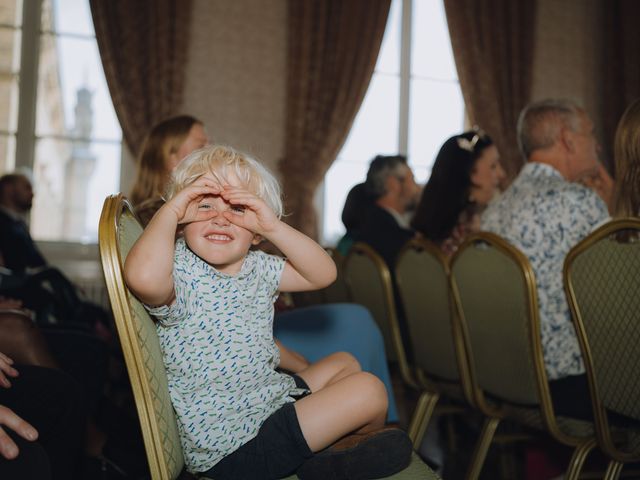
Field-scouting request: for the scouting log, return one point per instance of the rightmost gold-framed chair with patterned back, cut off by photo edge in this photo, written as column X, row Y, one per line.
column 602, row 282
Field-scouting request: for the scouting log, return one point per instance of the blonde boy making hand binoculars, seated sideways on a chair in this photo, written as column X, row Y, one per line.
column 213, row 299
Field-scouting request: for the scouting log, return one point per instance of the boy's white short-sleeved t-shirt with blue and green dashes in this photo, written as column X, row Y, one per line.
column 219, row 353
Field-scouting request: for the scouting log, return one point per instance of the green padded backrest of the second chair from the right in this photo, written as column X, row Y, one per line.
column 494, row 289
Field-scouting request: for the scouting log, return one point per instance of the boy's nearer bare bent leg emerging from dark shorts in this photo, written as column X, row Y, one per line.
column 356, row 403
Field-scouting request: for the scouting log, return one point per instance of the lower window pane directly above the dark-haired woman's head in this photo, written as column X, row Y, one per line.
column 437, row 112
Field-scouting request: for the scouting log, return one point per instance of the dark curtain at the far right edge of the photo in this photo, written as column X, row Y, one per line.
column 621, row 64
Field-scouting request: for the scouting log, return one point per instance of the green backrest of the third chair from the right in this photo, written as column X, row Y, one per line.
column 422, row 278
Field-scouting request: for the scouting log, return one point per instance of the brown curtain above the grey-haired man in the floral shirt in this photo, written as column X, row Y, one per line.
column 493, row 43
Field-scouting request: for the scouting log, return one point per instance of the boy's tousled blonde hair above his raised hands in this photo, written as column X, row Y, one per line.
column 220, row 160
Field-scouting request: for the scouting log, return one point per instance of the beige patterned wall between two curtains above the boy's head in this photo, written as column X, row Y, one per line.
column 236, row 74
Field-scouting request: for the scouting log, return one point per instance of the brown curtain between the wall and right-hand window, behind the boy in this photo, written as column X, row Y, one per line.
column 332, row 50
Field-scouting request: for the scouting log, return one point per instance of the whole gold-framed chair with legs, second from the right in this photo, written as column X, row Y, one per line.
column 494, row 289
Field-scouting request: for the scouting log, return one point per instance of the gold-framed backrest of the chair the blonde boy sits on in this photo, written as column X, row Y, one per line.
column 118, row 231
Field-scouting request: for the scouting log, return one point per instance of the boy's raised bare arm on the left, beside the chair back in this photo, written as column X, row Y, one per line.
column 148, row 269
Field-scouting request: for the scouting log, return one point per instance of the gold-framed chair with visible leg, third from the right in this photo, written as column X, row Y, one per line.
column 422, row 278
